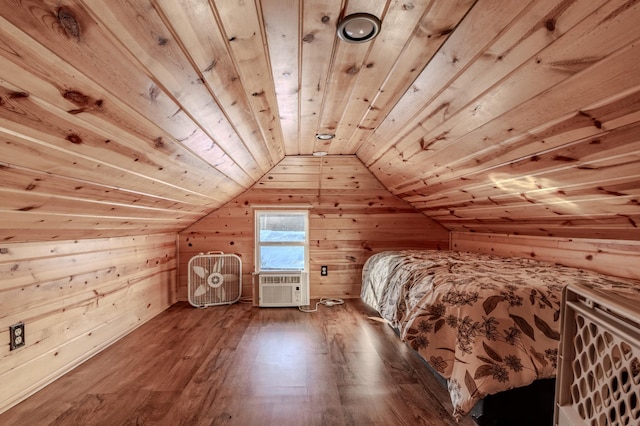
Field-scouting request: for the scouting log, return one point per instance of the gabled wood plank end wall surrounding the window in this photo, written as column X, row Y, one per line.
column 351, row 217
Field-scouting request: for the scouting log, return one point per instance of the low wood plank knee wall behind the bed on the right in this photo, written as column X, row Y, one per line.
column 612, row 257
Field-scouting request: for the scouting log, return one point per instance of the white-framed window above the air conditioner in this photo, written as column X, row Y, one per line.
column 282, row 242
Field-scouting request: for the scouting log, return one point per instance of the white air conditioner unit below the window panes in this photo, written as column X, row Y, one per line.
column 278, row 289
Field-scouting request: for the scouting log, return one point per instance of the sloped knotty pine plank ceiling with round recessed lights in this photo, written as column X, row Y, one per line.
column 141, row 116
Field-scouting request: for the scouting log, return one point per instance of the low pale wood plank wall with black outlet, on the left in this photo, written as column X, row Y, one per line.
column 75, row 298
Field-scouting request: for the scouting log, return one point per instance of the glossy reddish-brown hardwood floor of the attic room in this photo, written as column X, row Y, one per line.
column 238, row 365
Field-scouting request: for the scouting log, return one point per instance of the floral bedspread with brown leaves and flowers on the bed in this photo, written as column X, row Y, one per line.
column 485, row 323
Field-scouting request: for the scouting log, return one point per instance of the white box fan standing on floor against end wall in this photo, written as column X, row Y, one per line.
column 215, row 278
